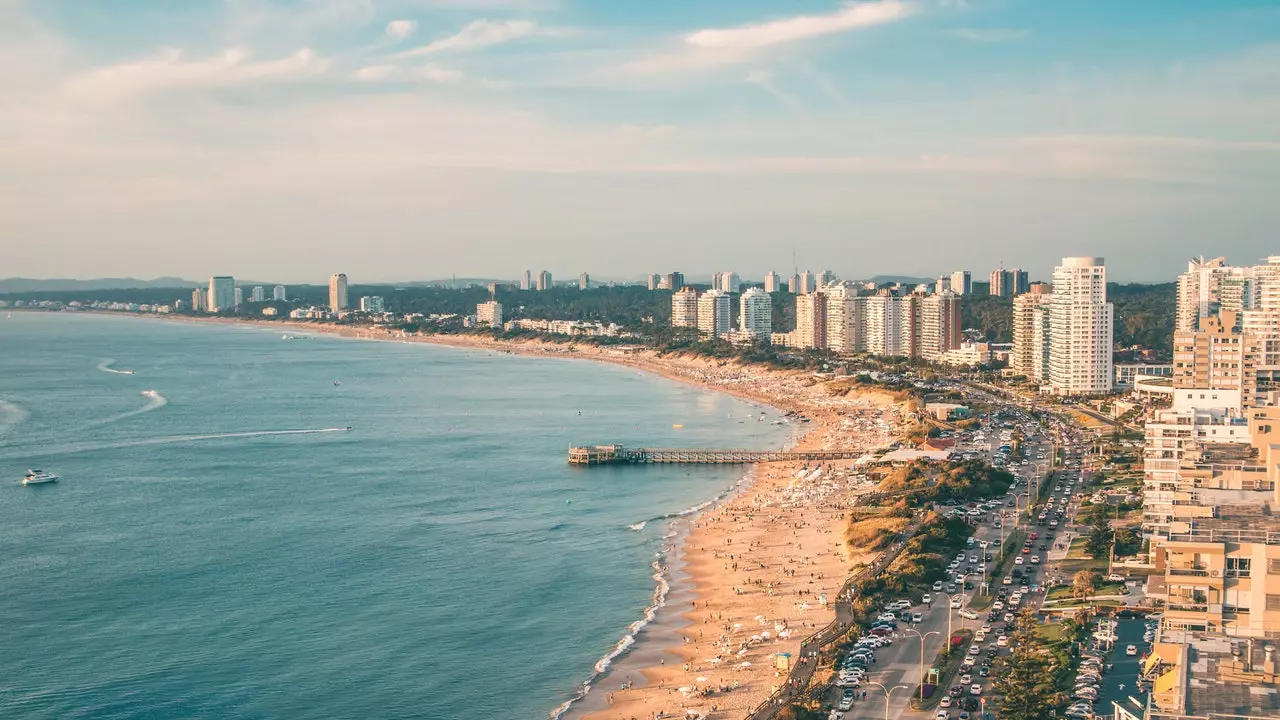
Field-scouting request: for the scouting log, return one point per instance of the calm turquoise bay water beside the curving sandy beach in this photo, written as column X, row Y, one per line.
column 438, row 560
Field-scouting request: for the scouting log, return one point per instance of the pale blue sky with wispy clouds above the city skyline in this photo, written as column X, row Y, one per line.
column 400, row 140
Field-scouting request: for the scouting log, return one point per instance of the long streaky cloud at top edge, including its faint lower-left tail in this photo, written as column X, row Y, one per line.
column 716, row 48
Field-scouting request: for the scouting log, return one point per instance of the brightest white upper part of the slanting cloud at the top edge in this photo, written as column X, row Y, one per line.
column 853, row 16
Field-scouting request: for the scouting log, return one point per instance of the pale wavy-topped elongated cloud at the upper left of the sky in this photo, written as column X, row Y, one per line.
column 171, row 71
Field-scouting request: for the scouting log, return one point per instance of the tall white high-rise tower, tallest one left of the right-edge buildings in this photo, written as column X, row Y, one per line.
column 1081, row 329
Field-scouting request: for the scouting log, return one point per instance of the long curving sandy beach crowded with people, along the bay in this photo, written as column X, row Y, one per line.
column 725, row 677
